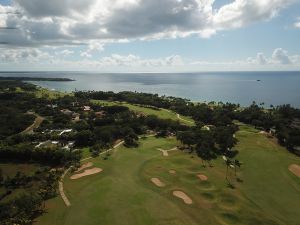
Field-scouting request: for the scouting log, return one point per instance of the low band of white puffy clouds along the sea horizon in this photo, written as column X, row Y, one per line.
column 25, row 58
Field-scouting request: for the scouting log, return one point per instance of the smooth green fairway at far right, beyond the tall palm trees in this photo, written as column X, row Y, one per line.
column 267, row 180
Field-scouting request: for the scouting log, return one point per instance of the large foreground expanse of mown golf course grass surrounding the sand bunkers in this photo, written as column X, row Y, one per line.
column 123, row 193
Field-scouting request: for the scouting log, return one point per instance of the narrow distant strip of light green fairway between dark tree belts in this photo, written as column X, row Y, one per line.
column 160, row 113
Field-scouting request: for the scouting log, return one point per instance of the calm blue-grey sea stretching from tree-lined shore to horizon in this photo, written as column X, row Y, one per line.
column 237, row 87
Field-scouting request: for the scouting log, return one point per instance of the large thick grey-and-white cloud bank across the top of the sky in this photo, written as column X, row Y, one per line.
column 60, row 22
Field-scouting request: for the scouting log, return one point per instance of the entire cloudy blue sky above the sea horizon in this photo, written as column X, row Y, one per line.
column 149, row 35
